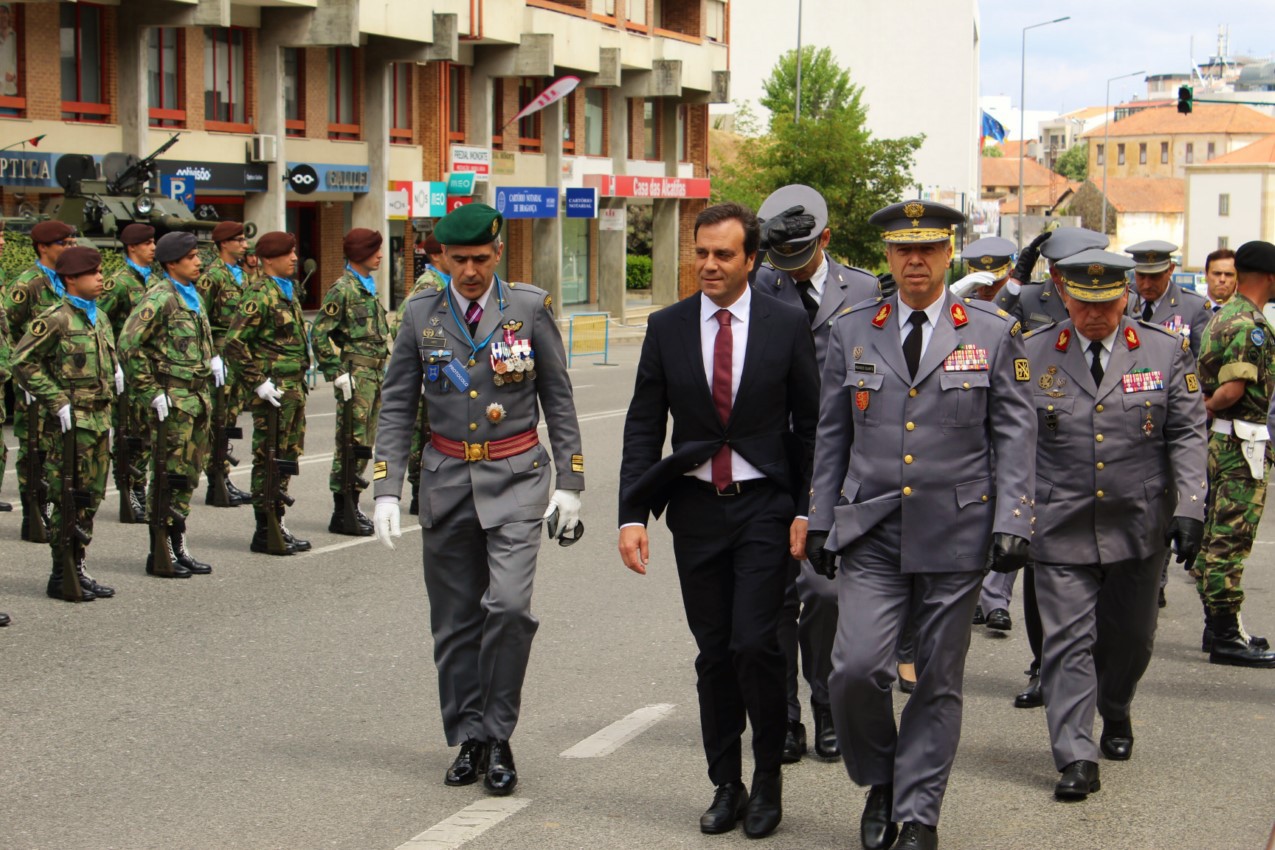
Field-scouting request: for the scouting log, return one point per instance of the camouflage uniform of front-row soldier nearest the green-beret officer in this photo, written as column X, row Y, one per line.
column 355, row 322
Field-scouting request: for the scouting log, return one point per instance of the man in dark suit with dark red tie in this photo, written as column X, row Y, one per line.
column 735, row 373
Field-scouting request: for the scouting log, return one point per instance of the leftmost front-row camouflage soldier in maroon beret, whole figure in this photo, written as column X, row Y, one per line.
column 67, row 361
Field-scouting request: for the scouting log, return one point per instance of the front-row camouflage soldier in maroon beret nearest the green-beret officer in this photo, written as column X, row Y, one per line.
column 351, row 340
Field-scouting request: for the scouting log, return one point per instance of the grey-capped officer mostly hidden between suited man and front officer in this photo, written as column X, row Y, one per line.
column 803, row 275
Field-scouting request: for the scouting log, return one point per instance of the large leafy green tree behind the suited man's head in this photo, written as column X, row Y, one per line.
column 831, row 150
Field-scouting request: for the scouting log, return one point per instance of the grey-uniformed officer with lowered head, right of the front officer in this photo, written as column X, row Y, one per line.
column 1121, row 473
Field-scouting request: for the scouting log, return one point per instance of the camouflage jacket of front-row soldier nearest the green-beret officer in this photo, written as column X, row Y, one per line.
column 354, row 322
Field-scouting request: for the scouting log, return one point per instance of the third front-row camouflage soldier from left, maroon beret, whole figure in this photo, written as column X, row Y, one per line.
column 267, row 343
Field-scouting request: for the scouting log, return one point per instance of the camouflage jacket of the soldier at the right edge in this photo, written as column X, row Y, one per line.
column 1237, row 346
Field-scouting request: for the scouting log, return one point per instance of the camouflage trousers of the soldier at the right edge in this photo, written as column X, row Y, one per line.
column 1231, row 527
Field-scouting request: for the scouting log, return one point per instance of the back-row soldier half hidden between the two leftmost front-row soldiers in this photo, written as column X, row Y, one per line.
column 120, row 295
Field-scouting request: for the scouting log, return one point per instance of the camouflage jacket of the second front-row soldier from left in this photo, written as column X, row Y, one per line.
column 169, row 346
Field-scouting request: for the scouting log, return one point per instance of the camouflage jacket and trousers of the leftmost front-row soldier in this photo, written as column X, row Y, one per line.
column 64, row 359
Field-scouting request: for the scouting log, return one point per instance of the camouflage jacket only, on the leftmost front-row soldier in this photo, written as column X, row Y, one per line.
column 67, row 360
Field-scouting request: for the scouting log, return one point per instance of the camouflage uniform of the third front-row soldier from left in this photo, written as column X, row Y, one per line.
column 267, row 340
